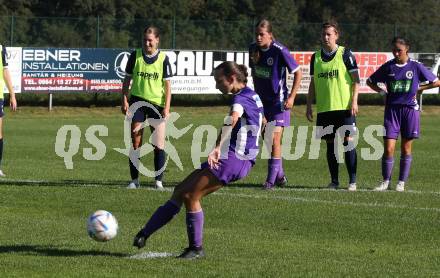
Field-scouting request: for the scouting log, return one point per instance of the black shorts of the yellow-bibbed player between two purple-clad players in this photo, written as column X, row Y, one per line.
column 337, row 119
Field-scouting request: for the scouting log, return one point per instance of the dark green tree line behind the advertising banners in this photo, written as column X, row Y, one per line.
column 217, row 24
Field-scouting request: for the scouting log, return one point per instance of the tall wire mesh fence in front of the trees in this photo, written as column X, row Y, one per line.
column 197, row 34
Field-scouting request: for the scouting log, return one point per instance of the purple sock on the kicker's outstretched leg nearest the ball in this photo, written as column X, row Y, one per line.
column 160, row 218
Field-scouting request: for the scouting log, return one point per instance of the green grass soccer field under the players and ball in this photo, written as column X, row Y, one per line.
column 301, row 230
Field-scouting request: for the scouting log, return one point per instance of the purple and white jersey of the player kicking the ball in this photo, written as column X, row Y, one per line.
column 245, row 134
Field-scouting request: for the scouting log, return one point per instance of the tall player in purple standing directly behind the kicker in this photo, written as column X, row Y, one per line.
column 269, row 60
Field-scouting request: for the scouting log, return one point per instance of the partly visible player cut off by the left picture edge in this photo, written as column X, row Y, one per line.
column 6, row 78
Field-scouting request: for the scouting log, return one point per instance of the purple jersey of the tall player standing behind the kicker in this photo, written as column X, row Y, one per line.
column 269, row 73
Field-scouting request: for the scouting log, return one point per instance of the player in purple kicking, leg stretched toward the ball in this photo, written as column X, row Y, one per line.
column 230, row 160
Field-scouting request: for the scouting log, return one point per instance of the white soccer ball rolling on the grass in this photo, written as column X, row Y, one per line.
column 102, row 225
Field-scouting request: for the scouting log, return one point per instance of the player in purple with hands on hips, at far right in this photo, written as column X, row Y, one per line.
column 403, row 78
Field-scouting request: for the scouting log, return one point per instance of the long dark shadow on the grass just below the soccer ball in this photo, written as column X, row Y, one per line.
column 55, row 252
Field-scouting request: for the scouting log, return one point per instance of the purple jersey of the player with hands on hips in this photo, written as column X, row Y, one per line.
column 402, row 81
